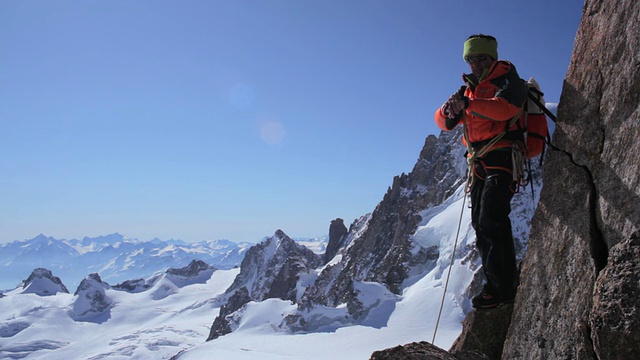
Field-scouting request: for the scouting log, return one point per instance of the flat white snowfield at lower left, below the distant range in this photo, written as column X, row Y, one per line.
column 139, row 326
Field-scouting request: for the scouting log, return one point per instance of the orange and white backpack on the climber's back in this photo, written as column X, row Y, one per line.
column 534, row 123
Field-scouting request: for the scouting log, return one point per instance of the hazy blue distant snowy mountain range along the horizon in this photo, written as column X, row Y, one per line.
column 115, row 258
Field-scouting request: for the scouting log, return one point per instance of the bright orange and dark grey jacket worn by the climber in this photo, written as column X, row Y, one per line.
column 492, row 103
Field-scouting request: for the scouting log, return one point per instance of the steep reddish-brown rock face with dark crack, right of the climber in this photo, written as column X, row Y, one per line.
column 578, row 296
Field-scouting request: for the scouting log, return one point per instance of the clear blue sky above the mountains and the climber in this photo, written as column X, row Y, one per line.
column 229, row 119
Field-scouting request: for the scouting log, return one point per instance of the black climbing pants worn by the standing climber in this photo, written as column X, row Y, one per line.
column 491, row 192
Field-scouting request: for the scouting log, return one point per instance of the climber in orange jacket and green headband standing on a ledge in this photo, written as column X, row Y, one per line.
column 487, row 107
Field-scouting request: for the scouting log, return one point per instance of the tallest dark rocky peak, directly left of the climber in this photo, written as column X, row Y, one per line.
column 380, row 248
